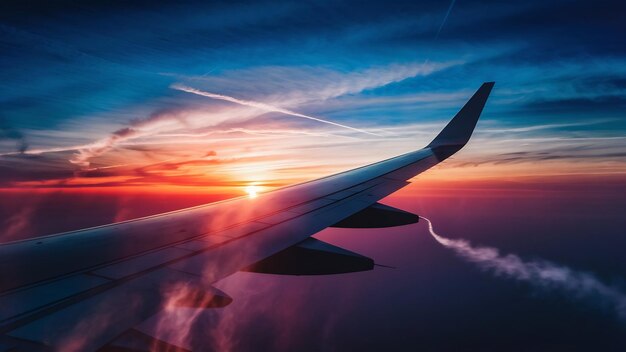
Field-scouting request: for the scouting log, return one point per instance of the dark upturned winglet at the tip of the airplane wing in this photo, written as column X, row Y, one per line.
column 459, row 130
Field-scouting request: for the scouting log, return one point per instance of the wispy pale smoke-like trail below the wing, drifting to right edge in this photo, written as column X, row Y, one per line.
column 540, row 273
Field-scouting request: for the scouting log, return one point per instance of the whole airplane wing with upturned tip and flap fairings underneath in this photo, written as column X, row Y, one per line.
column 86, row 289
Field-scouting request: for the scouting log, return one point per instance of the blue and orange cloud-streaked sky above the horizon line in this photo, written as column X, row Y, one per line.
column 123, row 95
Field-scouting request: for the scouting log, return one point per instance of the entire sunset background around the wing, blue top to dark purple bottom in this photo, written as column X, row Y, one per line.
column 115, row 110
